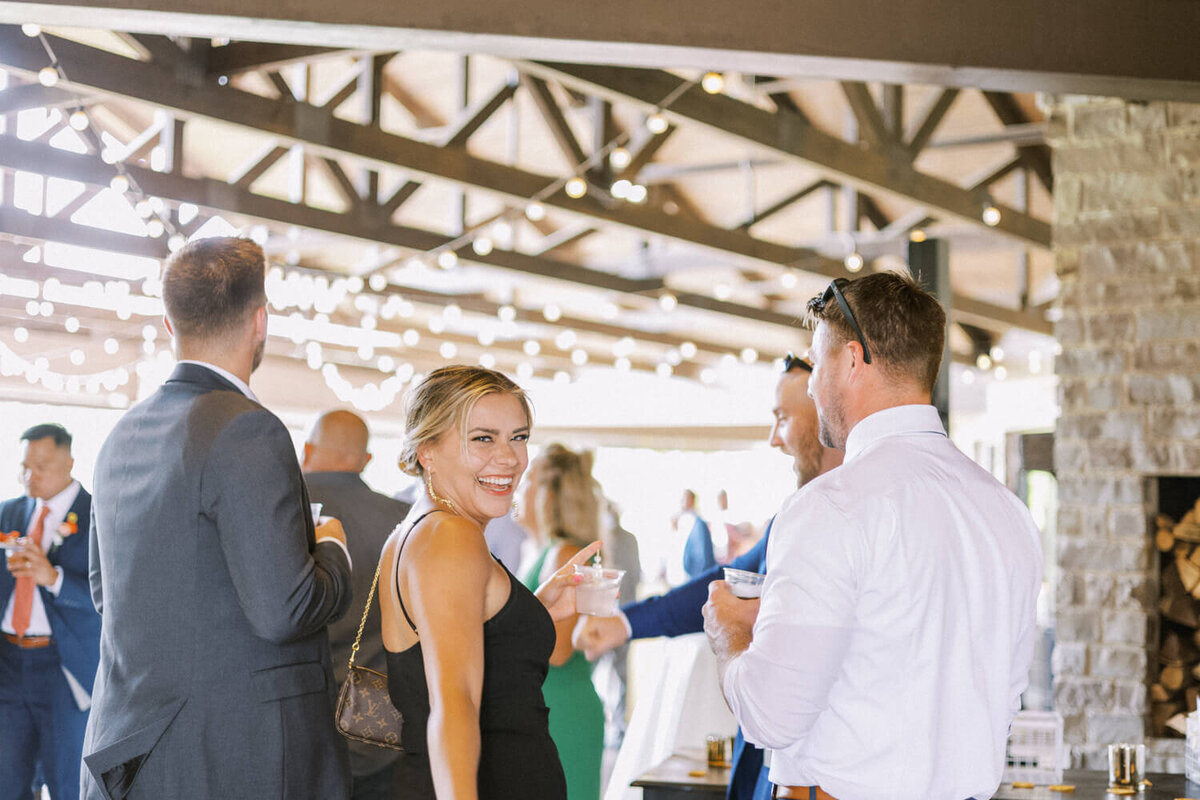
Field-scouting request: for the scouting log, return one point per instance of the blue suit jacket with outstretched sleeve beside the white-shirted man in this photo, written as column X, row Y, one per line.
column 679, row 612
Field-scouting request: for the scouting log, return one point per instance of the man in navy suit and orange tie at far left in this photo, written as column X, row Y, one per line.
column 51, row 630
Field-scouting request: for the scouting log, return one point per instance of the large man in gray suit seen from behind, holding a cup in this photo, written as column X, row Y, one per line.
column 213, row 585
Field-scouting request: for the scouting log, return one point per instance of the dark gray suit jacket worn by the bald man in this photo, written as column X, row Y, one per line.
column 368, row 518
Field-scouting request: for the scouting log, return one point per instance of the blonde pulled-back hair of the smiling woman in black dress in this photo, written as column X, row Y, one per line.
column 445, row 401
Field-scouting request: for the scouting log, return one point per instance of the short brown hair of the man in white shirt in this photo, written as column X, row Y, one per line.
column 904, row 326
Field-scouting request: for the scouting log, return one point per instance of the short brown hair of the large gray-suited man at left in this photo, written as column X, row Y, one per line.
column 212, row 285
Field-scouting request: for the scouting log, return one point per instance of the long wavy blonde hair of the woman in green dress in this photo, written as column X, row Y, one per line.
column 566, row 497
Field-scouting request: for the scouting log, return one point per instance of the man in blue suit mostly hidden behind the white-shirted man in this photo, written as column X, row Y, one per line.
column 677, row 612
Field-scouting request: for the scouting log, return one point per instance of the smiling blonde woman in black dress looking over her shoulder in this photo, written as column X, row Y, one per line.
column 449, row 609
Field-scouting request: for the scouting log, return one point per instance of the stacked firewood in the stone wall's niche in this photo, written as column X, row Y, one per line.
column 1174, row 694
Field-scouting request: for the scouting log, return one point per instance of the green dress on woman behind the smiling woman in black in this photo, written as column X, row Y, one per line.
column 577, row 715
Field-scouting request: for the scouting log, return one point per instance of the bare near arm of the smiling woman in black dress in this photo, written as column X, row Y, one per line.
column 446, row 585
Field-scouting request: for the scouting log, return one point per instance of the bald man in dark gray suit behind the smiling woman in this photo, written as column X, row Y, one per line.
column 334, row 459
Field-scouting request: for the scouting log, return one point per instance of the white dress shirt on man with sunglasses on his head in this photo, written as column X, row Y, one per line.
column 897, row 624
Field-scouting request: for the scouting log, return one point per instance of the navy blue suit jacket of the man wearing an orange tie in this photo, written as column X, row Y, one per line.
column 73, row 616
